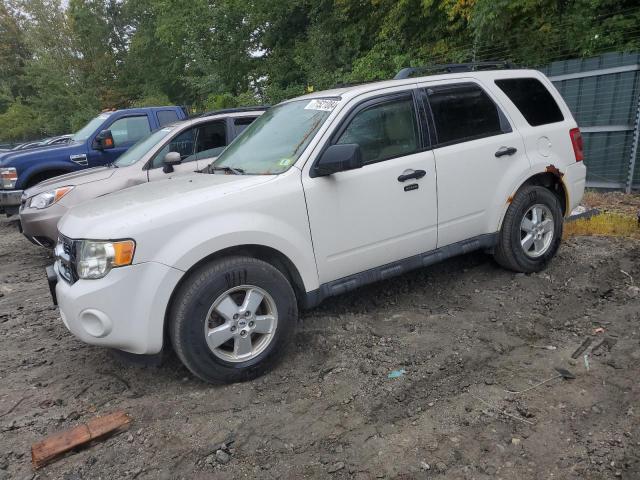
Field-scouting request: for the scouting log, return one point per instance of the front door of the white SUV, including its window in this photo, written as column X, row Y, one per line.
column 386, row 210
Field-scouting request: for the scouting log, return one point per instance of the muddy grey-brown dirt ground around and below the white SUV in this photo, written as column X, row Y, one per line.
column 464, row 332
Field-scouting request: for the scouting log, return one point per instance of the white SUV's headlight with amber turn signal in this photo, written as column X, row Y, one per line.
column 94, row 259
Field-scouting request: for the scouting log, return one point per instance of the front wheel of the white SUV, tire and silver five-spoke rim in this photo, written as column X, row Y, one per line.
column 232, row 319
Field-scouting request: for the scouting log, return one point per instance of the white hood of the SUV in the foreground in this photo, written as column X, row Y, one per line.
column 123, row 213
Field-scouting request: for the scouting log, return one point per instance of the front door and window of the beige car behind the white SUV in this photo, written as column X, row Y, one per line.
column 197, row 146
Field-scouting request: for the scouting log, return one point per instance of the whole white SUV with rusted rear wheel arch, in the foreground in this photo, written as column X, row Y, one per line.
column 320, row 195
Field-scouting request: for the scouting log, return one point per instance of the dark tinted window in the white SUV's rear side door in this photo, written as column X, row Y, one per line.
column 464, row 112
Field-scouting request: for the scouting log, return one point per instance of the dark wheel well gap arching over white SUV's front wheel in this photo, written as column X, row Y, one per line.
column 266, row 254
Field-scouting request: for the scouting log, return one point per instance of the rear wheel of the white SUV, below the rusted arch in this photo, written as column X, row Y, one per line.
column 531, row 231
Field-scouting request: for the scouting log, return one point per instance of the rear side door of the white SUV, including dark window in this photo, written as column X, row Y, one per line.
column 477, row 153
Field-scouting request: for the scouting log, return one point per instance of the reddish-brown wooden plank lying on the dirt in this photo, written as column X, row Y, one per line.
column 59, row 443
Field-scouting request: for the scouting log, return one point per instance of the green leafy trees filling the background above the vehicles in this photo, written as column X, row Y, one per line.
column 62, row 62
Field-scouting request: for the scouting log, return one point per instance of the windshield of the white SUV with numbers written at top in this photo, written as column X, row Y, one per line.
column 273, row 143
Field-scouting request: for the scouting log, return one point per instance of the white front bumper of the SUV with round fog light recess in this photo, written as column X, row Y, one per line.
column 124, row 310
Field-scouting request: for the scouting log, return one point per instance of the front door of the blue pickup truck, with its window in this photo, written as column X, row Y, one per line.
column 126, row 131
